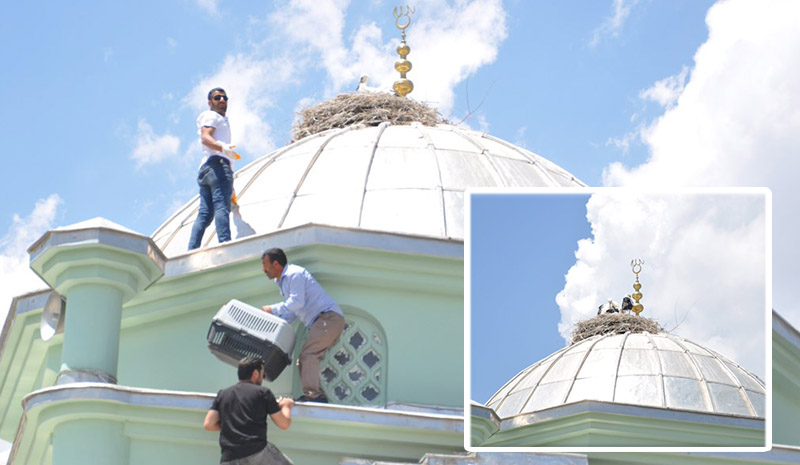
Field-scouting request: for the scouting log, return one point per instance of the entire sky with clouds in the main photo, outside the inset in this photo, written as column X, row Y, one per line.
column 102, row 97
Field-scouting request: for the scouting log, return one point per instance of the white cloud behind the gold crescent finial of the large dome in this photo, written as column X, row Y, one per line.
column 449, row 41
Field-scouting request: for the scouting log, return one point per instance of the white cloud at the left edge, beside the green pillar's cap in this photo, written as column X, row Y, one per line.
column 15, row 272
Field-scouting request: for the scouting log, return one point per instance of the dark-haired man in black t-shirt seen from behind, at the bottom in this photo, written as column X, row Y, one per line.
column 240, row 412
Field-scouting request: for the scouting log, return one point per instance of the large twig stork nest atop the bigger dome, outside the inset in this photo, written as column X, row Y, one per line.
column 370, row 108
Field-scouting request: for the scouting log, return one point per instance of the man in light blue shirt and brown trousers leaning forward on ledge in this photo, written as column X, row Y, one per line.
column 305, row 299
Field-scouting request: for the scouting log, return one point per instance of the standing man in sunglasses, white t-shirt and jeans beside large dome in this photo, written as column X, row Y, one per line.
column 215, row 176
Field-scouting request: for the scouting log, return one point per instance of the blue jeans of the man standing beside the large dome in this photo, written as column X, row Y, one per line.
column 216, row 186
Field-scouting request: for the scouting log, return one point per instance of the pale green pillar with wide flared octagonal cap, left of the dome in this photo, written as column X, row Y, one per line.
column 97, row 265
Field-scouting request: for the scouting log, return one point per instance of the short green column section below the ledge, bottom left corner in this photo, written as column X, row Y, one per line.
column 72, row 446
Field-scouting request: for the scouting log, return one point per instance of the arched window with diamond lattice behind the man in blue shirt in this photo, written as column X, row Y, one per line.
column 353, row 371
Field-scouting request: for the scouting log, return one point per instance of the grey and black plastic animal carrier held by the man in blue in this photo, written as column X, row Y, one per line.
column 239, row 330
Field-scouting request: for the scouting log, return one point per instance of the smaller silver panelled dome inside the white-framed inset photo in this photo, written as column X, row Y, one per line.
column 641, row 369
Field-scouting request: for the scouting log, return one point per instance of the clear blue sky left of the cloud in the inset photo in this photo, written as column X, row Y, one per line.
column 521, row 248
